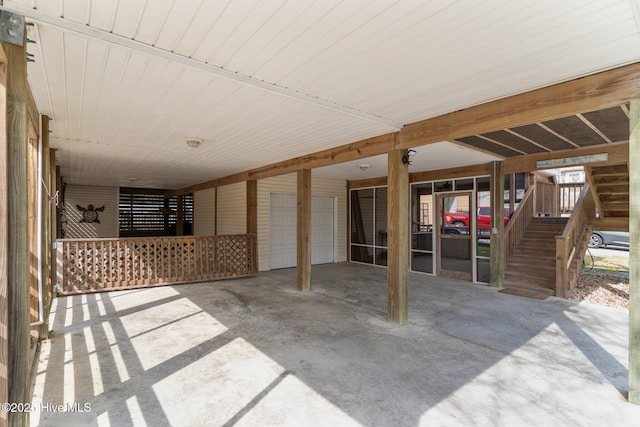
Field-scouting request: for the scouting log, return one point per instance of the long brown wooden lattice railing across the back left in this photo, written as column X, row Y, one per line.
column 90, row 265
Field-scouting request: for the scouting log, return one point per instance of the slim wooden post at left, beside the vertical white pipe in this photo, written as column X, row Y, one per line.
column 45, row 212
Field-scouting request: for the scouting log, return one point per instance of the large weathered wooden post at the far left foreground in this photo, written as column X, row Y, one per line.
column 18, row 243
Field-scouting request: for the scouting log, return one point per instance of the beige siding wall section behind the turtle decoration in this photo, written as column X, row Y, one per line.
column 90, row 195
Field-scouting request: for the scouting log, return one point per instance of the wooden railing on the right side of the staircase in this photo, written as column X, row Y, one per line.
column 570, row 246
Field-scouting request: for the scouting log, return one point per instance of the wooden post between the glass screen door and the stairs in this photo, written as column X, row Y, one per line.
column 497, row 223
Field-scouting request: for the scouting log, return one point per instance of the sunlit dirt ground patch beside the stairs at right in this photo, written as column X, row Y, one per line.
column 610, row 288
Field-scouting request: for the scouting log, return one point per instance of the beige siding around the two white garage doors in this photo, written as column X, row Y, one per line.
column 286, row 184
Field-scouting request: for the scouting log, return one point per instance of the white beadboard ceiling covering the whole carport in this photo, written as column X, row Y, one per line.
column 260, row 81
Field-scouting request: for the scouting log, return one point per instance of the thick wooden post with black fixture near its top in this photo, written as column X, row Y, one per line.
column 397, row 237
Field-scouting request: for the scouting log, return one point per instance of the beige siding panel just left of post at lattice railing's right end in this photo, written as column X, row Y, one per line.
column 232, row 209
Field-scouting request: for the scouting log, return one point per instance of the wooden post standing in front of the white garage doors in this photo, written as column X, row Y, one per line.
column 304, row 230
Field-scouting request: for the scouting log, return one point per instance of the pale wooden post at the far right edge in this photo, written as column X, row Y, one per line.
column 634, row 253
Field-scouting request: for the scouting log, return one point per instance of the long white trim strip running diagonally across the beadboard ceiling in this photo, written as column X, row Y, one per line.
column 85, row 30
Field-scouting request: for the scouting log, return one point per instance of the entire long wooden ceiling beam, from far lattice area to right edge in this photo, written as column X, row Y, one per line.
column 598, row 91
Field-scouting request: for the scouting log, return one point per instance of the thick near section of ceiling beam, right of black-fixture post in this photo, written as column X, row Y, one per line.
column 597, row 91
